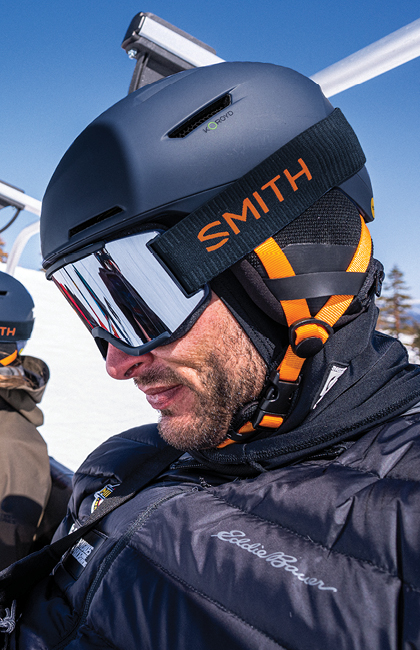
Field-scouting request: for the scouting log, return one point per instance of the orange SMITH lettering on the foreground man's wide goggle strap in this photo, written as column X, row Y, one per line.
column 248, row 204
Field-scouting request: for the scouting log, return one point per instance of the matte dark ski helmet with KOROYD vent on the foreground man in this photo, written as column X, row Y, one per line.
column 164, row 150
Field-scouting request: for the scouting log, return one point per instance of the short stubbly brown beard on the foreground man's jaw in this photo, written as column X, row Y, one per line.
column 230, row 377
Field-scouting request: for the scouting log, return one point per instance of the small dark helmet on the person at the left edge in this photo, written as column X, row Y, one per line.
column 16, row 316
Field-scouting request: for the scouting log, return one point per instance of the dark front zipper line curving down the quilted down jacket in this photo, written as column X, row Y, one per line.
column 119, row 546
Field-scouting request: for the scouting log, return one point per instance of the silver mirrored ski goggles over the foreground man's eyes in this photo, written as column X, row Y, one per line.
column 126, row 297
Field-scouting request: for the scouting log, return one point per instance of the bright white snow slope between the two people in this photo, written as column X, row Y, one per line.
column 82, row 405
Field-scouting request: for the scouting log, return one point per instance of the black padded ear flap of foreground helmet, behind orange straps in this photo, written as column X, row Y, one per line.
column 324, row 238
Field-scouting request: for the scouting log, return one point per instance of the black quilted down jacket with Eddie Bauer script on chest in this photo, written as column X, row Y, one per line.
column 255, row 546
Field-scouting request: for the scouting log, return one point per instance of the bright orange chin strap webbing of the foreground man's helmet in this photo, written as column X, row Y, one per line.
column 277, row 265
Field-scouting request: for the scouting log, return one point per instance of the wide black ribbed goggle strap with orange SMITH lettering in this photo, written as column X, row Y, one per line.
column 261, row 203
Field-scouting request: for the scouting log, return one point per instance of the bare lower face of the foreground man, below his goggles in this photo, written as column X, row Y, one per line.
column 199, row 381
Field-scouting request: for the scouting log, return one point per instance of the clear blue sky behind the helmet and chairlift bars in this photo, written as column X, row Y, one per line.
column 61, row 65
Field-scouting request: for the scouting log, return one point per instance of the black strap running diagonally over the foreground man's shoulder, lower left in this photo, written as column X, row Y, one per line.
column 20, row 577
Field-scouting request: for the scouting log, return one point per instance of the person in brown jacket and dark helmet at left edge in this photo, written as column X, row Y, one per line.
column 25, row 480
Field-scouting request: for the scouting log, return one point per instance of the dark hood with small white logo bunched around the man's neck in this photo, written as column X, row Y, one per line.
column 360, row 378
